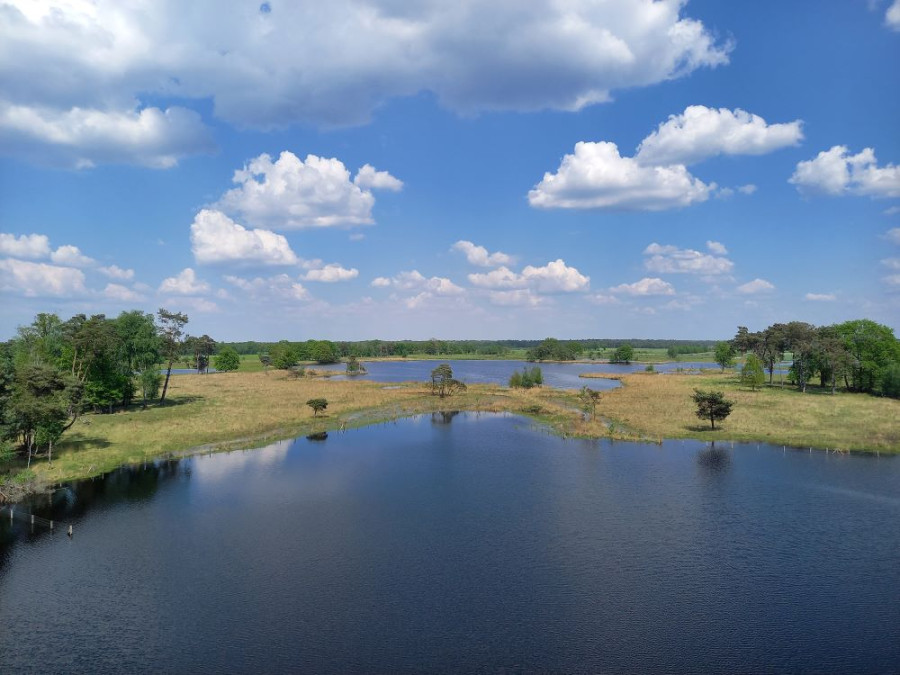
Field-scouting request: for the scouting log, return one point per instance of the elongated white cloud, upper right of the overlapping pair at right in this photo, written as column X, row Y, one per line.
column 701, row 132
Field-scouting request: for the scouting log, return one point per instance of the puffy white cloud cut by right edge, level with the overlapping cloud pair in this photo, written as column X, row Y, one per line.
column 837, row 172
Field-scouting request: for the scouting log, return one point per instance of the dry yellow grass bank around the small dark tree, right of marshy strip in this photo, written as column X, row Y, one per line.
column 659, row 406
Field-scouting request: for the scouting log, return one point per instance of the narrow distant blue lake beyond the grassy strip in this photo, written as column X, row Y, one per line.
column 561, row 375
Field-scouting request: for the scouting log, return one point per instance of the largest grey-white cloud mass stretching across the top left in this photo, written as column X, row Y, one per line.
column 331, row 63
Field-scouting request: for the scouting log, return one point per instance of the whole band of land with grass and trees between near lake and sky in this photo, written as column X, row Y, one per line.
column 84, row 393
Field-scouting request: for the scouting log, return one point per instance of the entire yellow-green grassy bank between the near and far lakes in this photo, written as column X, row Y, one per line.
column 238, row 410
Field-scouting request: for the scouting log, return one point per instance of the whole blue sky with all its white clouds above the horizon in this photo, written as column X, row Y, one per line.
column 478, row 169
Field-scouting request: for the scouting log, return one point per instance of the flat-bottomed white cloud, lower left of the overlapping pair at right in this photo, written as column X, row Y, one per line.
column 597, row 177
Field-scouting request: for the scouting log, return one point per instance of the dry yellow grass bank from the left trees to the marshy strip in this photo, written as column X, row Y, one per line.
column 230, row 410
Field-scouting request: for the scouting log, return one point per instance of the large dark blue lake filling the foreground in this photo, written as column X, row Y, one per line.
column 464, row 544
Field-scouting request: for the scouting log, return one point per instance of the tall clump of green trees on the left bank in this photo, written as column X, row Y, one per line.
column 52, row 371
